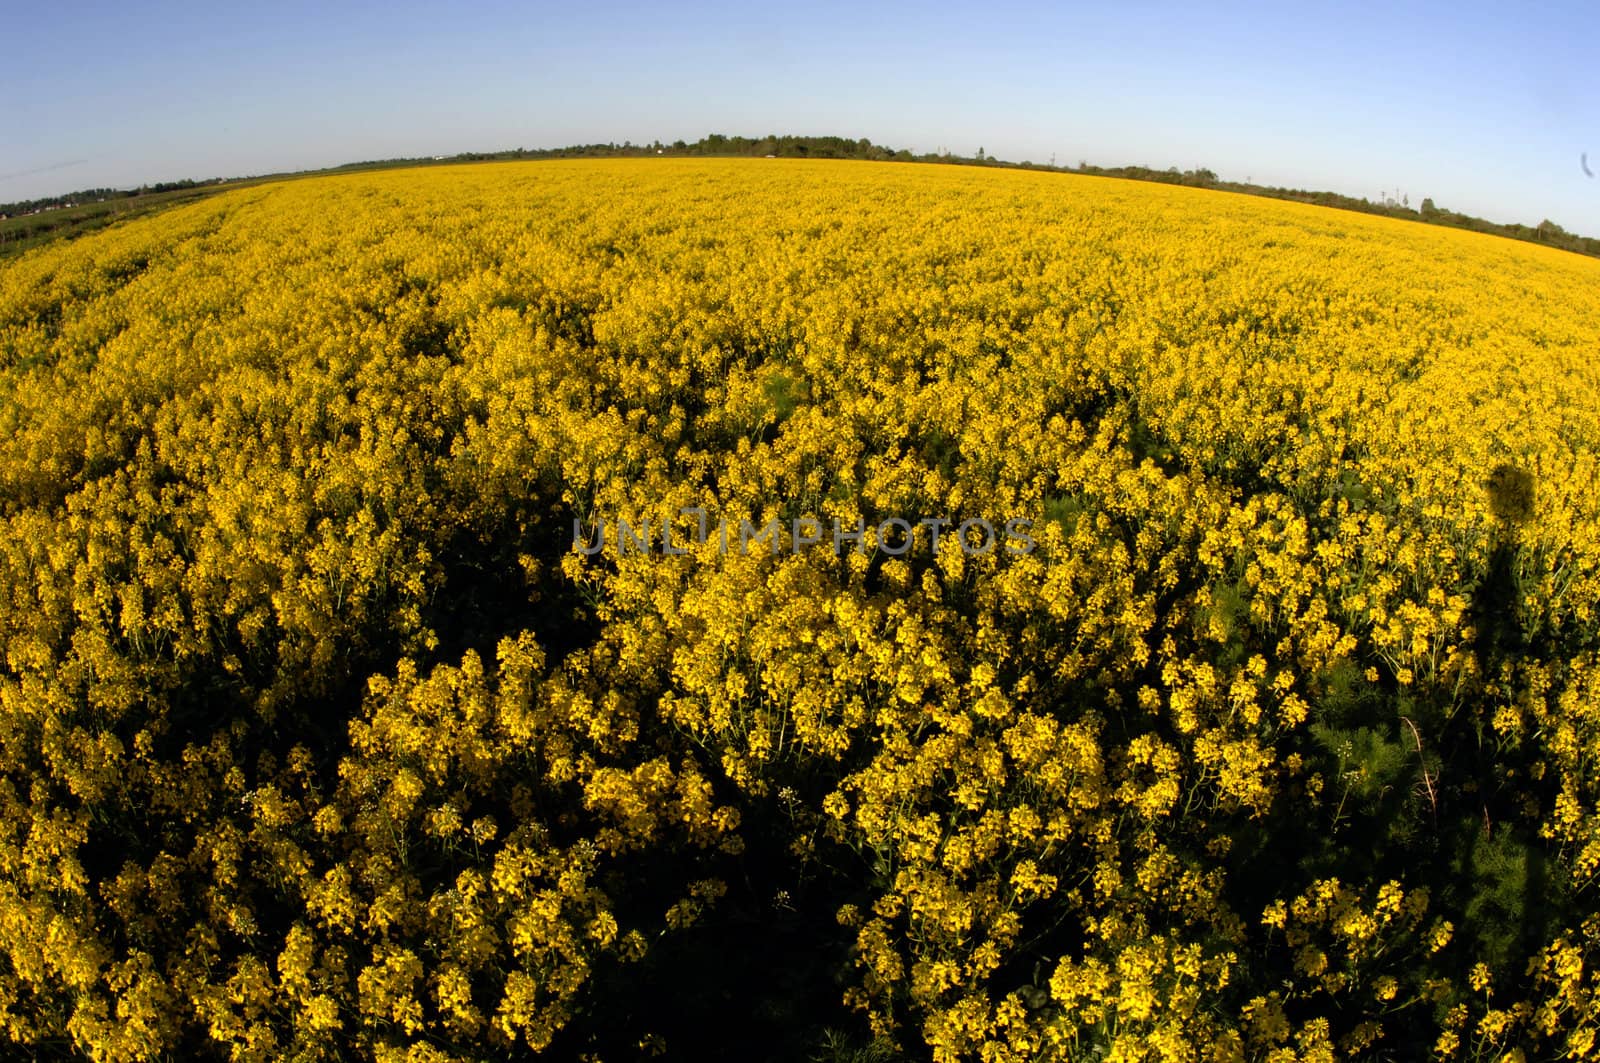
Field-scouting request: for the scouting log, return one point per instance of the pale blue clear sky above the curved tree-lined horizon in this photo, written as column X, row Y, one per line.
column 1486, row 108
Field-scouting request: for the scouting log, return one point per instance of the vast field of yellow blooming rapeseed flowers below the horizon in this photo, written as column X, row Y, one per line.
column 322, row 739
